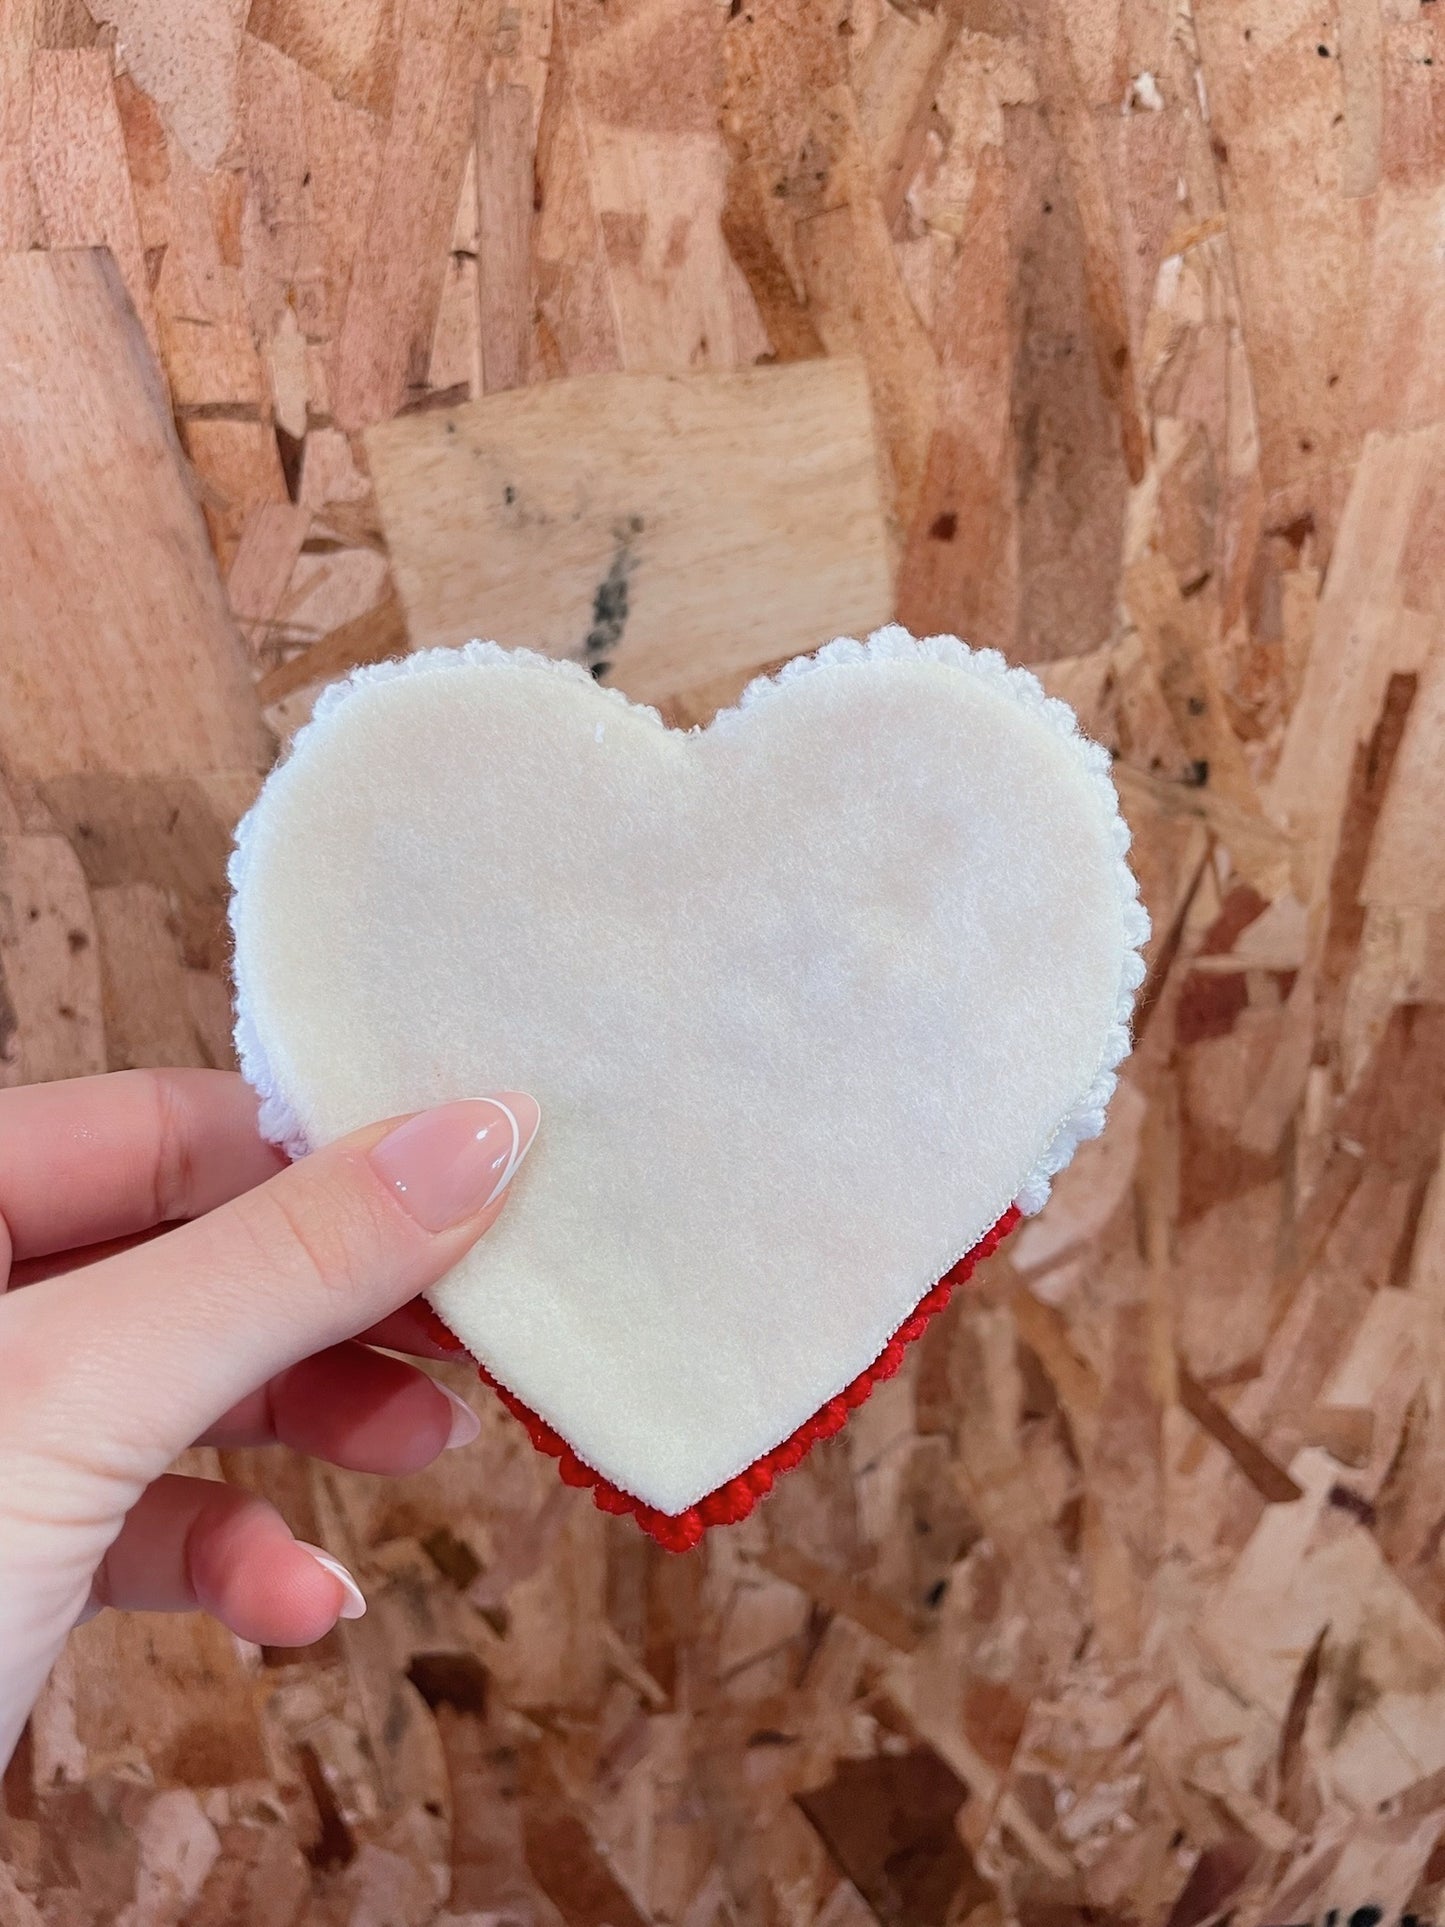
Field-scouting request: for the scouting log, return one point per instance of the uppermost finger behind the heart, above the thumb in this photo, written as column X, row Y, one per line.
column 107, row 1157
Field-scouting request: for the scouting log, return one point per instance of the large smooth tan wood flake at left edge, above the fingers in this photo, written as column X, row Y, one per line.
column 113, row 616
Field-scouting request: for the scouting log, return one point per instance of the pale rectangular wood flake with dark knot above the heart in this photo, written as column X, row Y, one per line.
column 656, row 529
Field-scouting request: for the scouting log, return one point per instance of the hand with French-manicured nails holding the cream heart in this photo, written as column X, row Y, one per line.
column 248, row 1325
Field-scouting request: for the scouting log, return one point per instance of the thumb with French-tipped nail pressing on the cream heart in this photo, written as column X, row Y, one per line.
column 144, row 1352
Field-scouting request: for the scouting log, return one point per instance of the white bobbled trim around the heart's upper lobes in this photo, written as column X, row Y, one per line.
column 278, row 1119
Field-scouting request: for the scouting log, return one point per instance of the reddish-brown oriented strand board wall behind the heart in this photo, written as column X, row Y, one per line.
column 1111, row 334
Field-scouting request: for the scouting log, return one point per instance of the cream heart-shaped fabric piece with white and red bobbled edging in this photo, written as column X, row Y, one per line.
column 814, row 1003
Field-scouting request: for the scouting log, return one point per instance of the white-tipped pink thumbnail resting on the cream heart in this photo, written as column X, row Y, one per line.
column 452, row 1163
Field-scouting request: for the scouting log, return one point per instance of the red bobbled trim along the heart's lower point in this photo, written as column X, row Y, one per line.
column 679, row 1533
